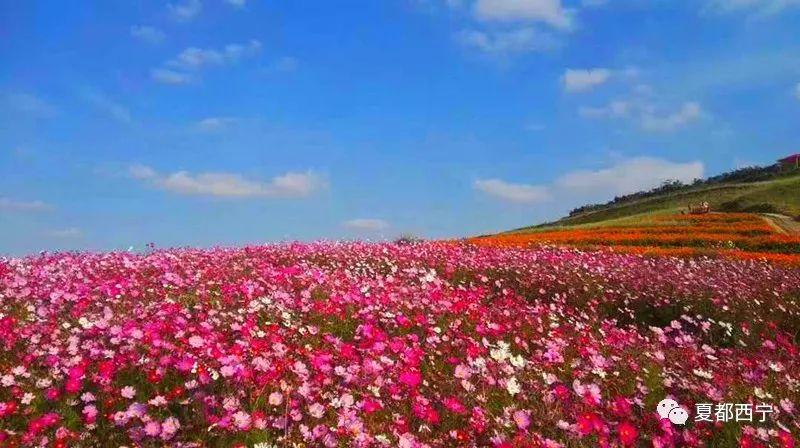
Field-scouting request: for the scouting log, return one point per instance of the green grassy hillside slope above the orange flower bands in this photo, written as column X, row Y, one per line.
column 783, row 194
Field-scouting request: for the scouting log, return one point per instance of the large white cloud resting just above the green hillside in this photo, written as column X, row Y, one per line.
column 630, row 176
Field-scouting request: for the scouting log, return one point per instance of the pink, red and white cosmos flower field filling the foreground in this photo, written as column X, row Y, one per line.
column 432, row 344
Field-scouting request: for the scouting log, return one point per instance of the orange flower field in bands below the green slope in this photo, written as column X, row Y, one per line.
column 736, row 235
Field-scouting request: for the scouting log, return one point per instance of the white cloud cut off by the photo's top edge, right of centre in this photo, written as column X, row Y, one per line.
column 551, row 12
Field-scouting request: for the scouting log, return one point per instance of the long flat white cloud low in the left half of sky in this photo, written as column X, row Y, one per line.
column 231, row 185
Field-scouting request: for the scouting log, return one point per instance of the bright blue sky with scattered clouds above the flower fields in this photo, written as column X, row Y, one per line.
column 205, row 122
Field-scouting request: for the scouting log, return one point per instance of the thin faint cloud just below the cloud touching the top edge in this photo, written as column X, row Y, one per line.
column 522, row 40
